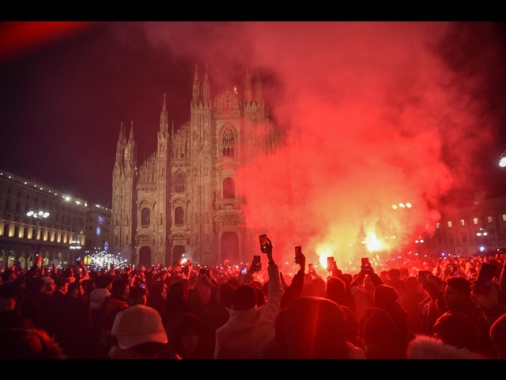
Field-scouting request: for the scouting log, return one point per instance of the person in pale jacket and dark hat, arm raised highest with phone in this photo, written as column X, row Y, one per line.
column 249, row 327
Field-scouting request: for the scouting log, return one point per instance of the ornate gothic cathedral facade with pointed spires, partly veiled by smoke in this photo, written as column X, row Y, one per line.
column 184, row 201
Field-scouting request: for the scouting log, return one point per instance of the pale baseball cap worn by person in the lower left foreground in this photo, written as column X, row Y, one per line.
column 138, row 324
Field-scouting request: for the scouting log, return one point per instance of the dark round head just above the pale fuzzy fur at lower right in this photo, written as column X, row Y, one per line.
column 456, row 330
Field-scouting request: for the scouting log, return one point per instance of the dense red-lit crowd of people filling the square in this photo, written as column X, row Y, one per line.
column 406, row 309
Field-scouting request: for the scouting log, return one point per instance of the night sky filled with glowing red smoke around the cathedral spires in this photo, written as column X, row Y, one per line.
column 383, row 112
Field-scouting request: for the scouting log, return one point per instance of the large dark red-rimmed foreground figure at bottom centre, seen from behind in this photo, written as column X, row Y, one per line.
column 312, row 328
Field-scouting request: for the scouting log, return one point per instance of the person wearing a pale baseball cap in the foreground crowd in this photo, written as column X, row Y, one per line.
column 138, row 333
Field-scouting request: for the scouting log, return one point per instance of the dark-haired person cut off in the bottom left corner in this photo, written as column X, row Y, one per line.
column 29, row 344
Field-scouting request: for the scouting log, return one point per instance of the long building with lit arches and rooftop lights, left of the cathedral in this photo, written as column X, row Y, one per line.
column 58, row 228
